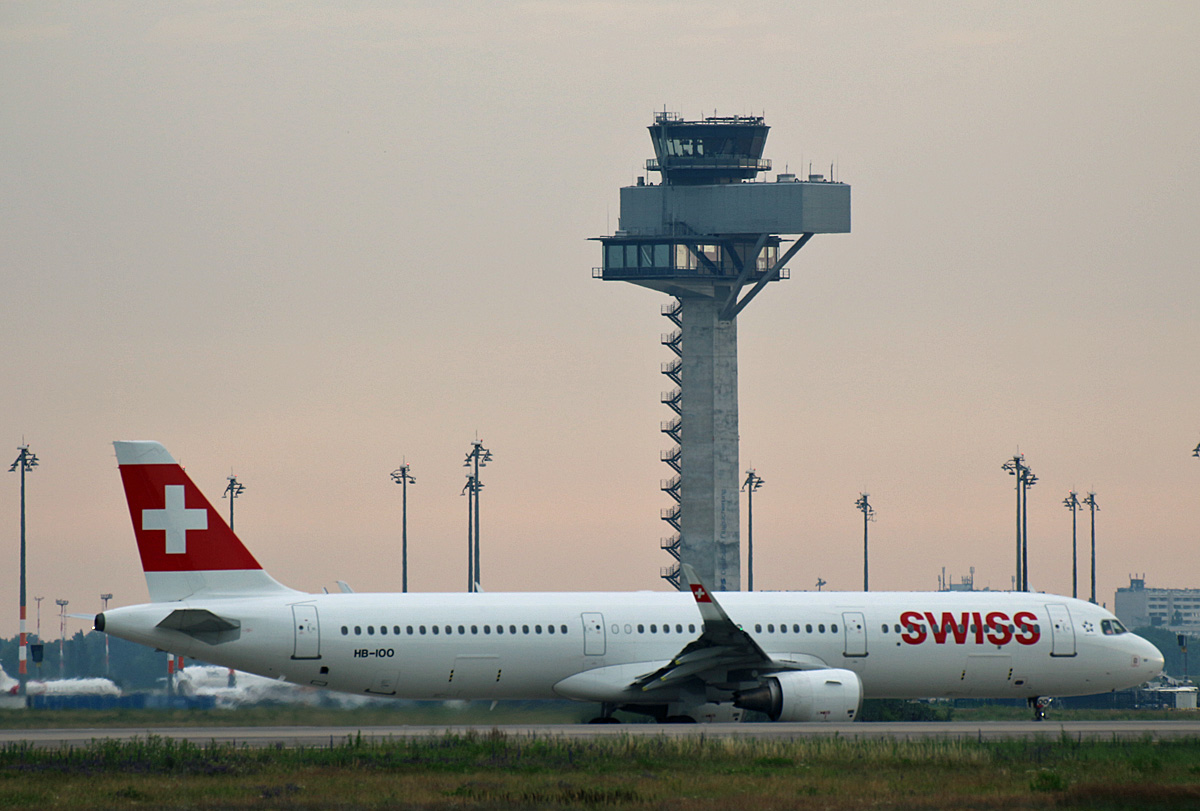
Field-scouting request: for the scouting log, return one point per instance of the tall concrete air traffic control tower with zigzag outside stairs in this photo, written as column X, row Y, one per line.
column 712, row 235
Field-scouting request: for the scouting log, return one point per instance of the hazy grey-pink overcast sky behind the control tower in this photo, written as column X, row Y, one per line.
column 307, row 242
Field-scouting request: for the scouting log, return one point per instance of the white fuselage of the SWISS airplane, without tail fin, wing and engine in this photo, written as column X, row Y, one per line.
column 501, row 646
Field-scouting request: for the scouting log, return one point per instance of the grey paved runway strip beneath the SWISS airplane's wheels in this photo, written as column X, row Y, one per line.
column 278, row 736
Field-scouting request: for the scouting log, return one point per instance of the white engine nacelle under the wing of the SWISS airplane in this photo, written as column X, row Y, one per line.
column 825, row 695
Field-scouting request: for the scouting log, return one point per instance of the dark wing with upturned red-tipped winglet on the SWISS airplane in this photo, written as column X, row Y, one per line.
column 721, row 648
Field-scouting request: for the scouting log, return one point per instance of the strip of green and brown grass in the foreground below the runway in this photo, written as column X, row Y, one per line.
column 501, row 772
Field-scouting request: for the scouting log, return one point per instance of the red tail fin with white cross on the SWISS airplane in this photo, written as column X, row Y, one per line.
column 188, row 550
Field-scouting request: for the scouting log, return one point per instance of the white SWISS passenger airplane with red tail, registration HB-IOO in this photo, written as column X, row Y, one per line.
column 674, row 657
